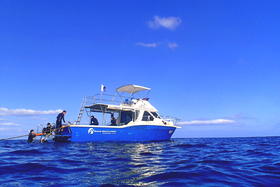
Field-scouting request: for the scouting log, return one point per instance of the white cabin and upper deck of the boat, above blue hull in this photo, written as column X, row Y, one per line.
column 127, row 106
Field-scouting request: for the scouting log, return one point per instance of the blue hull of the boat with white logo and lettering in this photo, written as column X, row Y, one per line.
column 89, row 133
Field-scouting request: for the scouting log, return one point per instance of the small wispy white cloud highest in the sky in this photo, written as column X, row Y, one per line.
column 169, row 23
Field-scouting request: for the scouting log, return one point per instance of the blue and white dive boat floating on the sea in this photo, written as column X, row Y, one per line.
column 135, row 118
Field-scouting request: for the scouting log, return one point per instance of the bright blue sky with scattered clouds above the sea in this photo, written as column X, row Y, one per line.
column 213, row 64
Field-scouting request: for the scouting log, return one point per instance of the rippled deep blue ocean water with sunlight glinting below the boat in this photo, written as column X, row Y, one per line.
column 178, row 162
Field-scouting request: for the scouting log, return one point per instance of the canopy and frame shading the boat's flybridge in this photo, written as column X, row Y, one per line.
column 132, row 89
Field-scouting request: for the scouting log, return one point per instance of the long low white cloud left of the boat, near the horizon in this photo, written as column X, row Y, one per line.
column 26, row 112
